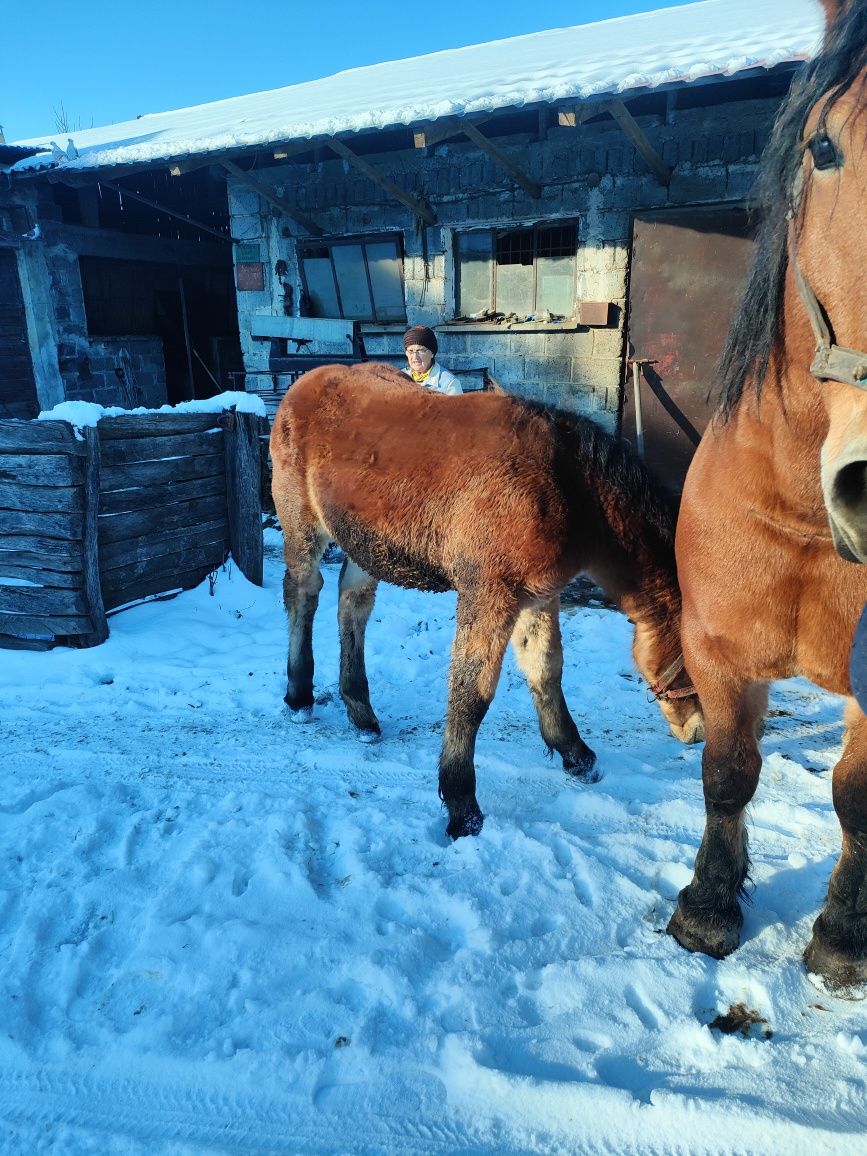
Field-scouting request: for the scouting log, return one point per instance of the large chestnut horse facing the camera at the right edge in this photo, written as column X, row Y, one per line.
column 766, row 595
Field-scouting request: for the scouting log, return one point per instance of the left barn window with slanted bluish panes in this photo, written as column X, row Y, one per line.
column 362, row 280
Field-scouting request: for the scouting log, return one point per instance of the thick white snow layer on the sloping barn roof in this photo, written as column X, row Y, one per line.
column 715, row 39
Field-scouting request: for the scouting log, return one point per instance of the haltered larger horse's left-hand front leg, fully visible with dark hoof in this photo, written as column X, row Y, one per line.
column 708, row 917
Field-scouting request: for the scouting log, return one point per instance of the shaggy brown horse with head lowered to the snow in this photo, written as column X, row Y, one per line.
column 501, row 500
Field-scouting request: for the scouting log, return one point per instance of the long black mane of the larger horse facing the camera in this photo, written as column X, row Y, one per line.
column 757, row 330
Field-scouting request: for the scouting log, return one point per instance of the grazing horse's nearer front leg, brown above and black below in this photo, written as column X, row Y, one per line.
column 485, row 623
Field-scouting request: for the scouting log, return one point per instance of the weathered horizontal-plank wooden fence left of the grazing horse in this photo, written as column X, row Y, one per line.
column 138, row 506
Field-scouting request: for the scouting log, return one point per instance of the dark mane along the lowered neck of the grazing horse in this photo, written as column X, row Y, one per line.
column 612, row 465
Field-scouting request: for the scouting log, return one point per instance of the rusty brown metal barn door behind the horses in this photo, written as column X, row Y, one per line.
column 687, row 271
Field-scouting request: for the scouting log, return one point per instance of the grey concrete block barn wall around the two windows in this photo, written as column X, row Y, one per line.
column 590, row 174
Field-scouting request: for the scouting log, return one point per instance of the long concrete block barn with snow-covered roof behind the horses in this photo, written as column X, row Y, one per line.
column 568, row 210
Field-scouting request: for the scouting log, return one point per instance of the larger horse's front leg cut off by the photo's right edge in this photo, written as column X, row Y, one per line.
column 839, row 947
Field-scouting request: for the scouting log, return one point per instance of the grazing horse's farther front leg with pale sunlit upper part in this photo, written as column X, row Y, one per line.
column 539, row 650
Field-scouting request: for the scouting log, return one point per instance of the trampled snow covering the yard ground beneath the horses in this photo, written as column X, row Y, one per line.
column 221, row 932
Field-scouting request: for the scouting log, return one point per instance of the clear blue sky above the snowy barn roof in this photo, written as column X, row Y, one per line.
column 98, row 62
